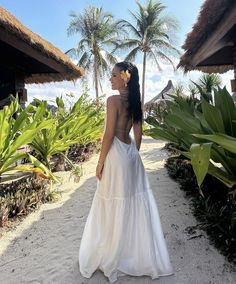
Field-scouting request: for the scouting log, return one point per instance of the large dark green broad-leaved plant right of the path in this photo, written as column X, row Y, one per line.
column 206, row 137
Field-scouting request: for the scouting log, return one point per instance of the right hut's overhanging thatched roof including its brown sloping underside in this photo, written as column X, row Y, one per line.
column 211, row 45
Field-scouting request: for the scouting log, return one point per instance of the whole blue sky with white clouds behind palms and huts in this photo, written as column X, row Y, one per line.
column 50, row 19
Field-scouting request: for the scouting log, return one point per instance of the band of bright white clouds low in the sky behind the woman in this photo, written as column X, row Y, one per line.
column 154, row 83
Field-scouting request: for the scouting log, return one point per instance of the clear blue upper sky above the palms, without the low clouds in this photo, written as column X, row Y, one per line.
column 50, row 18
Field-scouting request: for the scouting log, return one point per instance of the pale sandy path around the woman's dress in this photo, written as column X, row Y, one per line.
column 44, row 247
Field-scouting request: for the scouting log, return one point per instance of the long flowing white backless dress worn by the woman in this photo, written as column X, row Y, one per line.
column 123, row 233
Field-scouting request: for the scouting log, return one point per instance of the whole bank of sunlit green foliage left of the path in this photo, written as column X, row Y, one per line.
column 48, row 135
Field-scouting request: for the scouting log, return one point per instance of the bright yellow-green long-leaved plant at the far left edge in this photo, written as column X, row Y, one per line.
column 16, row 132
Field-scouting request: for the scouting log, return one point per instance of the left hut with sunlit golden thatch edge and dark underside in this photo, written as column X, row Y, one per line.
column 25, row 57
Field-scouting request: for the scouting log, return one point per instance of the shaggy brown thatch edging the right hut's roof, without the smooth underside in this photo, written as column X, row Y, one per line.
column 211, row 14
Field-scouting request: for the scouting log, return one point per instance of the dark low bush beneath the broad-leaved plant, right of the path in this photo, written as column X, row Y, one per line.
column 215, row 209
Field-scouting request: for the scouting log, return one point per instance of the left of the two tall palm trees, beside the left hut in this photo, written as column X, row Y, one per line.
column 98, row 33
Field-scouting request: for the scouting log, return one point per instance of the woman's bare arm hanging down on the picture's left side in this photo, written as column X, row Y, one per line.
column 108, row 134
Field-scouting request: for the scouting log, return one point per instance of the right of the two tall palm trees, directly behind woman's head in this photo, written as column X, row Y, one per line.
column 152, row 35
